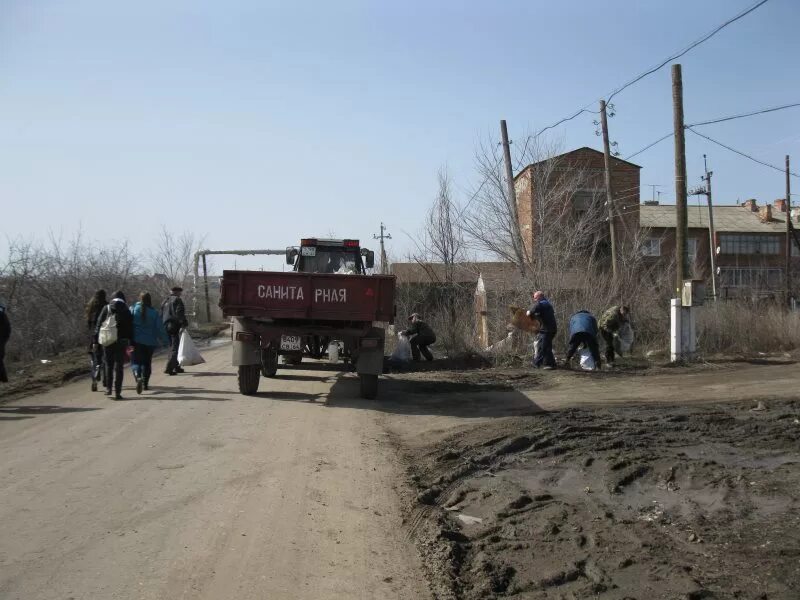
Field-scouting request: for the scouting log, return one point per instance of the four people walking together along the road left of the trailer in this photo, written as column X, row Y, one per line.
column 114, row 327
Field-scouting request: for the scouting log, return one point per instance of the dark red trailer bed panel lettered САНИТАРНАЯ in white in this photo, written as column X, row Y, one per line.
column 312, row 296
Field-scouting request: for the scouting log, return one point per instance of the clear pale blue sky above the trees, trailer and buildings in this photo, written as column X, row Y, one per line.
column 260, row 122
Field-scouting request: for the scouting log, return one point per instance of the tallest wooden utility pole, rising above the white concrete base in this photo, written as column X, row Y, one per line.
column 682, row 225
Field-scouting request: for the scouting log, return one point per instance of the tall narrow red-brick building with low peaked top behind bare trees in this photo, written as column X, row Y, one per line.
column 577, row 178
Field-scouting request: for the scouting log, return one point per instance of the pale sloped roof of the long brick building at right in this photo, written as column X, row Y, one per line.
column 726, row 218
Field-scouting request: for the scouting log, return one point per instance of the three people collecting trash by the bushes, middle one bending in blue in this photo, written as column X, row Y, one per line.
column 584, row 330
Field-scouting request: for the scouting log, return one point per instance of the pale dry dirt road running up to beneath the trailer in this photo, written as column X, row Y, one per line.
column 194, row 491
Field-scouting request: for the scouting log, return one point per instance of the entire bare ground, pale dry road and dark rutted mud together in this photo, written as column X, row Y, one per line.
column 658, row 484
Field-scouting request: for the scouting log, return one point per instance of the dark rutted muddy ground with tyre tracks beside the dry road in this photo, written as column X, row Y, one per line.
column 628, row 502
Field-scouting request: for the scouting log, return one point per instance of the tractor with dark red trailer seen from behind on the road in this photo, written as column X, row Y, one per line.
column 327, row 296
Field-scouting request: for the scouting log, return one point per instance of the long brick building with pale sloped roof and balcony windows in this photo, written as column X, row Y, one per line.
column 751, row 241
